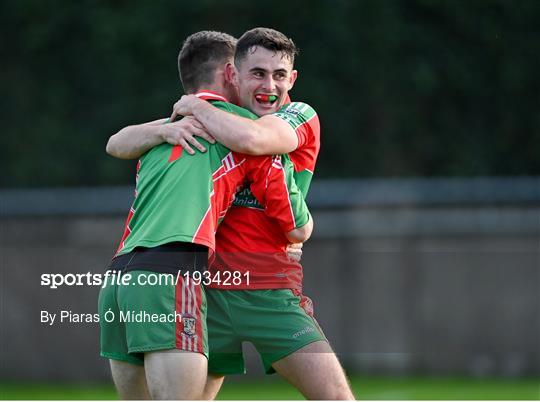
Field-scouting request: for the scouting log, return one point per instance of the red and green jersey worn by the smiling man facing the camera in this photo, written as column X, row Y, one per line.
column 250, row 240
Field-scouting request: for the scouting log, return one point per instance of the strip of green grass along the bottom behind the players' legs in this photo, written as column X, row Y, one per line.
column 419, row 388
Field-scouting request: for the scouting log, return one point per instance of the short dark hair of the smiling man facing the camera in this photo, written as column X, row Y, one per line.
column 267, row 38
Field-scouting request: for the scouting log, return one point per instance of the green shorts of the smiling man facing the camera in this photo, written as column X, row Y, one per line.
column 277, row 322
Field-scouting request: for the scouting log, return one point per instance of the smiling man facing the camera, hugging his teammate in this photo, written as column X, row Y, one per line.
column 289, row 340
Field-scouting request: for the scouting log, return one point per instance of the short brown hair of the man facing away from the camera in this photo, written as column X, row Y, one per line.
column 201, row 54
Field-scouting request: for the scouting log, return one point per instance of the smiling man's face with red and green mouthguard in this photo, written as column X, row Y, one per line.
column 264, row 78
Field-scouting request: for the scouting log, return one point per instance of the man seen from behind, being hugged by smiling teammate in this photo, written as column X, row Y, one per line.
column 154, row 331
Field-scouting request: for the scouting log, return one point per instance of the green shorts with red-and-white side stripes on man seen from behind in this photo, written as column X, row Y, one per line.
column 152, row 312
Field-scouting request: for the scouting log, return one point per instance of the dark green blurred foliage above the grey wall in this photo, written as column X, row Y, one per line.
column 403, row 88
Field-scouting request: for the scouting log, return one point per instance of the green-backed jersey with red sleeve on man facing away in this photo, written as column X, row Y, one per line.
column 182, row 198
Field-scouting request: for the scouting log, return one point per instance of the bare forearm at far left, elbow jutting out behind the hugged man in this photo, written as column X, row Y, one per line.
column 133, row 141
